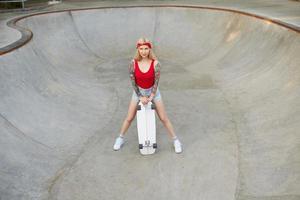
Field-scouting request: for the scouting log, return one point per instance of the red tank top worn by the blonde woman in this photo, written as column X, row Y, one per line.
column 144, row 80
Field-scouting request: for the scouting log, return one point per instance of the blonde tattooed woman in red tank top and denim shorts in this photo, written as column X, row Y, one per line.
column 144, row 72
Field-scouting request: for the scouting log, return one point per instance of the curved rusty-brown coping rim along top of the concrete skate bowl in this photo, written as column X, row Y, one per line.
column 27, row 34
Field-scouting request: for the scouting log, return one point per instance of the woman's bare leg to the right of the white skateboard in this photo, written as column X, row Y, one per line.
column 160, row 109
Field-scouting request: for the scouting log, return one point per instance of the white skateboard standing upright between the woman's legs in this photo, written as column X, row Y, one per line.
column 146, row 128
